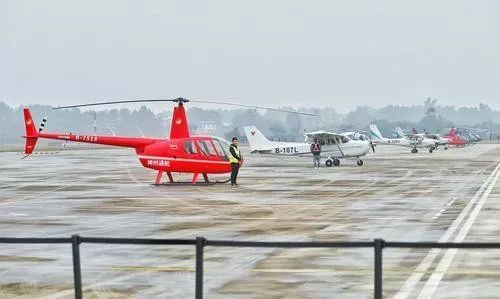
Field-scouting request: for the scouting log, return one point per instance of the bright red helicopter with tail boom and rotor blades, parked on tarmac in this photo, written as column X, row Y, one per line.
column 181, row 153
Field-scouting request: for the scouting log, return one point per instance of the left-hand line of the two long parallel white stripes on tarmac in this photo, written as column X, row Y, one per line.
column 406, row 290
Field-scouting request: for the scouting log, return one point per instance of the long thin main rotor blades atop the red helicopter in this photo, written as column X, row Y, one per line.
column 181, row 101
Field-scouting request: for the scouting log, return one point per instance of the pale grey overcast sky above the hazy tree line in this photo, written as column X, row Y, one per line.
column 300, row 53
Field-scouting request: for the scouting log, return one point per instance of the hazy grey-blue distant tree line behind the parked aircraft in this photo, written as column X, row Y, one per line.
column 227, row 123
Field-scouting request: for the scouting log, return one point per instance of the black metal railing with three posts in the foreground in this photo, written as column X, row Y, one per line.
column 200, row 243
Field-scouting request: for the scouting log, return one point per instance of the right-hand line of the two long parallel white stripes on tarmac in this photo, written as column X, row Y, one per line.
column 433, row 281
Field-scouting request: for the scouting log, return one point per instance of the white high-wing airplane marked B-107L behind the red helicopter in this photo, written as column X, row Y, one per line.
column 334, row 146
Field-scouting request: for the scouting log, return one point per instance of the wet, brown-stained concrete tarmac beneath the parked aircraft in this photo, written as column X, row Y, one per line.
column 451, row 195
